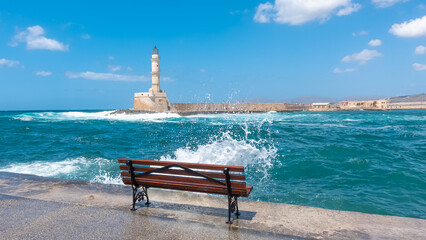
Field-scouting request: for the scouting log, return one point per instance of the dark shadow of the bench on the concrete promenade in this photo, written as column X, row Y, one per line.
column 211, row 211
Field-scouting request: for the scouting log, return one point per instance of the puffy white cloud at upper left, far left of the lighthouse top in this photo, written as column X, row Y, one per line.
column 35, row 39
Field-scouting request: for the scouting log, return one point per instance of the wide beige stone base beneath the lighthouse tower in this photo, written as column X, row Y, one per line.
column 152, row 101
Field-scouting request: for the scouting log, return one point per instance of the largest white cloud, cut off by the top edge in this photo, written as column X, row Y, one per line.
column 297, row 12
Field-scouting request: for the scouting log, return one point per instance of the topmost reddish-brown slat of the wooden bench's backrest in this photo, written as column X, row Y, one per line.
column 188, row 165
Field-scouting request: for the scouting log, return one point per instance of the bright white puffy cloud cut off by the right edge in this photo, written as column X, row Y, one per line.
column 413, row 28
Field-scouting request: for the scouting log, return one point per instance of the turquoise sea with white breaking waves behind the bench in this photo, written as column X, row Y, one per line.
column 365, row 161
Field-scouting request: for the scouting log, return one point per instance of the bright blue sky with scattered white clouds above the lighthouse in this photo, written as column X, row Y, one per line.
column 96, row 54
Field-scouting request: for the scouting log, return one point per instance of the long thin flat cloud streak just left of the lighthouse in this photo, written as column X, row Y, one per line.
column 107, row 77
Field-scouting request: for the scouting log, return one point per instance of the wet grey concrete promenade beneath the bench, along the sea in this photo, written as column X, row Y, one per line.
column 34, row 207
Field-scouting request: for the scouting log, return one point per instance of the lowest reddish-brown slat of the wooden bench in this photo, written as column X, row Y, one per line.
column 188, row 187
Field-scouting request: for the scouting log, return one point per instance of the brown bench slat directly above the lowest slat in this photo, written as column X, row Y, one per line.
column 184, row 180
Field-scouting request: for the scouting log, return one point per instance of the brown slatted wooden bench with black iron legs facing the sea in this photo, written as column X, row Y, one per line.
column 193, row 177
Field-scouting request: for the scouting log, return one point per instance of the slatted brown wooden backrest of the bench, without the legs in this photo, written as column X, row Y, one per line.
column 209, row 178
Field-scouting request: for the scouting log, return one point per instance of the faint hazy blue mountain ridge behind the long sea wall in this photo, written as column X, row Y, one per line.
column 309, row 99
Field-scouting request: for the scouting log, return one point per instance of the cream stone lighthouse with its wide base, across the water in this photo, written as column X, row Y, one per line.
column 156, row 99
